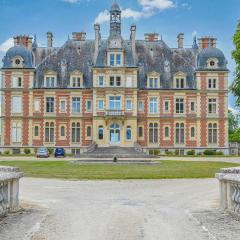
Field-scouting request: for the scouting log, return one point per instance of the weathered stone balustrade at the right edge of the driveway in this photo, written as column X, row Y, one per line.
column 229, row 182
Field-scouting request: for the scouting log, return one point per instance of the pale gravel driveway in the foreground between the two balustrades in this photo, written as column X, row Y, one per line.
column 117, row 210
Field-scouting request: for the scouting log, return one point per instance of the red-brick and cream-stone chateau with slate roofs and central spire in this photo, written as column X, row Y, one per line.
column 115, row 92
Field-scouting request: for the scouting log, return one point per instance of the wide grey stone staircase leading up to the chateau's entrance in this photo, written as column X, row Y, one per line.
column 110, row 152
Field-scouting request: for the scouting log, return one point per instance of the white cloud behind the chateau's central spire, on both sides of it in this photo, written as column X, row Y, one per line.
column 148, row 9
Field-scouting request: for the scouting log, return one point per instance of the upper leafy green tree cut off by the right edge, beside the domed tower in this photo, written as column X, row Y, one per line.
column 236, row 56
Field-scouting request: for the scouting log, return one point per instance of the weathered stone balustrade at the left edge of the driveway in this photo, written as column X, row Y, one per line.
column 9, row 189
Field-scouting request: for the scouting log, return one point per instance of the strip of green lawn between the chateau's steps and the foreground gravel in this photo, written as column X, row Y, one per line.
column 163, row 170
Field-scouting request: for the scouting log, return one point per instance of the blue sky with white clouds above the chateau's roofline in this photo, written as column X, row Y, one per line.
column 216, row 18
